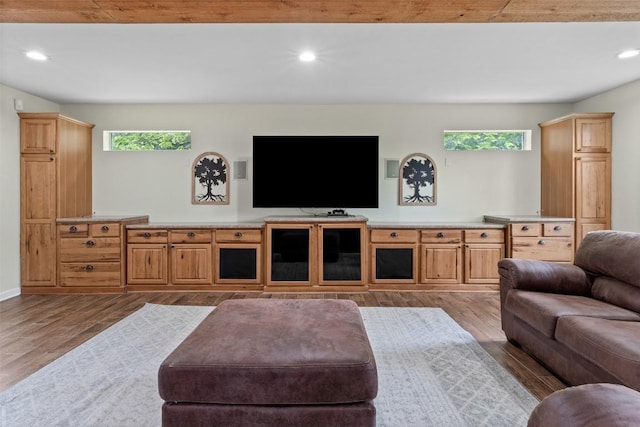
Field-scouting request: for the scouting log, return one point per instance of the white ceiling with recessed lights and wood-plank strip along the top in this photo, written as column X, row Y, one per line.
column 102, row 52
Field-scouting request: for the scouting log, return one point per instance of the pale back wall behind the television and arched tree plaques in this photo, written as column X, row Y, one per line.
column 469, row 184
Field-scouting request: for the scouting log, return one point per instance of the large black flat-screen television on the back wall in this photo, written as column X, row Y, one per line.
column 334, row 172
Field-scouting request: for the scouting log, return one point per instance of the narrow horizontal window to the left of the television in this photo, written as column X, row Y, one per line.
column 146, row 140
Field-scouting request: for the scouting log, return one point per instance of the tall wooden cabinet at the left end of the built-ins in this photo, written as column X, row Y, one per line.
column 55, row 181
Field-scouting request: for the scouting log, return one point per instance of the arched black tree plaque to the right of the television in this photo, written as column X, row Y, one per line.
column 417, row 183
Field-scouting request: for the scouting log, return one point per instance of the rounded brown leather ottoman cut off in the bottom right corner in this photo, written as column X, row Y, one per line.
column 589, row 405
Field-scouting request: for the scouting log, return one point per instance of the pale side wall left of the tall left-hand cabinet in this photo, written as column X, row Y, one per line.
column 10, row 184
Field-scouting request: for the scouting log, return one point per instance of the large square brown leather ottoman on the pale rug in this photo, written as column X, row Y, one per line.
column 264, row 362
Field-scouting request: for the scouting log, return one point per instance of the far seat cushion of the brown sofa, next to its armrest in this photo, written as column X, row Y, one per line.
column 542, row 310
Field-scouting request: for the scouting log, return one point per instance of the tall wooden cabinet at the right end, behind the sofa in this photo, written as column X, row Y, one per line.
column 576, row 170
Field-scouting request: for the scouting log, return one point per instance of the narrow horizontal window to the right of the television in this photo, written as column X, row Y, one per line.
column 470, row 140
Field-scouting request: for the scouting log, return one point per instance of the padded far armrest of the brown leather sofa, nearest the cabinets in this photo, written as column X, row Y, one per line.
column 542, row 276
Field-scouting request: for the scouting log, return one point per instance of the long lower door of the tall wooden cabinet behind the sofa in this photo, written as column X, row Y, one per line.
column 593, row 193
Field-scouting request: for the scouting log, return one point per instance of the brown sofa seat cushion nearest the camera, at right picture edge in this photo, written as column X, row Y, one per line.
column 612, row 345
